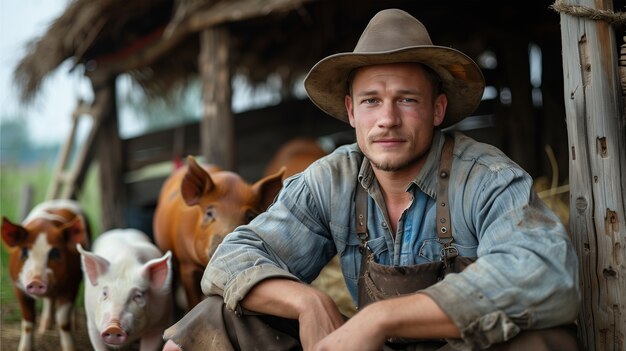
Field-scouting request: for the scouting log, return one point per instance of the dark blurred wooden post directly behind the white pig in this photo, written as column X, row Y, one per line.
column 109, row 153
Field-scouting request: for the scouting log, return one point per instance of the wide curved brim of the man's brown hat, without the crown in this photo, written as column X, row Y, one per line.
column 463, row 82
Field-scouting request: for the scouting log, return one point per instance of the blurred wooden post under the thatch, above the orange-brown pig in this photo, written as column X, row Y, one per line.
column 217, row 125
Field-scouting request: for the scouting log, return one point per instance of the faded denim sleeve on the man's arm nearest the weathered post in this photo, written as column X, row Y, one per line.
column 526, row 276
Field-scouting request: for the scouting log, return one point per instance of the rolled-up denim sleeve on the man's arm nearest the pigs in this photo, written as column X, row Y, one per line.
column 267, row 247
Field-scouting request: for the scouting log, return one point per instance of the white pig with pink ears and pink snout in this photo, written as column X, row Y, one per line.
column 128, row 293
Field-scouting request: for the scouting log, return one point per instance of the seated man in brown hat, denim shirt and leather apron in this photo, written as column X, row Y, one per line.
column 397, row 90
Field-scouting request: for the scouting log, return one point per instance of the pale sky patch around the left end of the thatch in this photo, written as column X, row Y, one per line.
column 49, row 114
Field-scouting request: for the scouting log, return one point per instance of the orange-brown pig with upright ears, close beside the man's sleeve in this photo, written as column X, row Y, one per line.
column 197, row 207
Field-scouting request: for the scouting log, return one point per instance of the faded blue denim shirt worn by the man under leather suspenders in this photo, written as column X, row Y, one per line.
column 526, row 275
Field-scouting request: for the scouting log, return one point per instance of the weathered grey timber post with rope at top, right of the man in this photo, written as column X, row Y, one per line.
column 596, row 133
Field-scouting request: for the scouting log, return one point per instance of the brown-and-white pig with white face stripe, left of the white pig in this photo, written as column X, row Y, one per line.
column 44, row 264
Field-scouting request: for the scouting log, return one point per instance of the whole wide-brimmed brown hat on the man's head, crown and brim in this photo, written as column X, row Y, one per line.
column 394, row 36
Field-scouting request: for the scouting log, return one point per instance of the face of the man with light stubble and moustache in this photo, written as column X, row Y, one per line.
column 394, row 114
